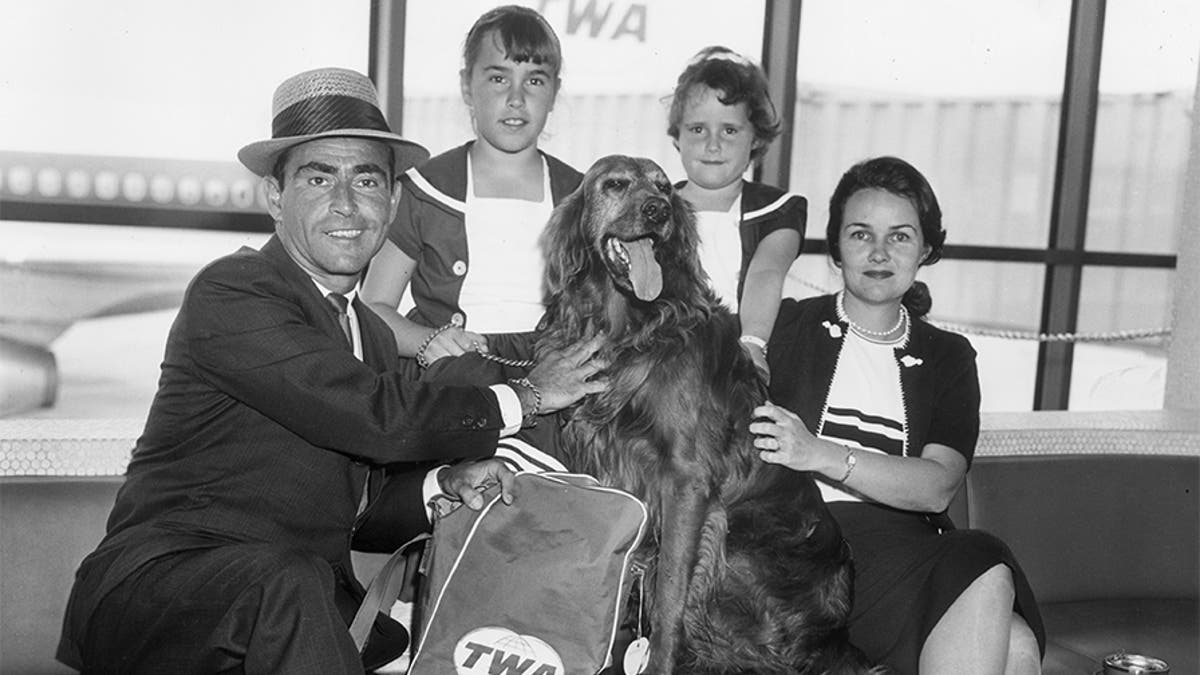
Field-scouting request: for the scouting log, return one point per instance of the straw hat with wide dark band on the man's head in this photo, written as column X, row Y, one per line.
column 323, row 104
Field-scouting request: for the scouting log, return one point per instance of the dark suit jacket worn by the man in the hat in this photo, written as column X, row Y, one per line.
column 263, row 429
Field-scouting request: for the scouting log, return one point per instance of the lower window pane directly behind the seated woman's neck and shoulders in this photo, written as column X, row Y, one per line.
column 994, row 304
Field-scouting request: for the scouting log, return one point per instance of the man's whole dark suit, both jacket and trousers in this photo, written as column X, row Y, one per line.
column 253, row 465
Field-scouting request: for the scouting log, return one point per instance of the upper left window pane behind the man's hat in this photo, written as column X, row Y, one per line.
column 147, row 79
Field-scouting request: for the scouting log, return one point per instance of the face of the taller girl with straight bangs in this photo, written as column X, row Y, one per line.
column 509, row 100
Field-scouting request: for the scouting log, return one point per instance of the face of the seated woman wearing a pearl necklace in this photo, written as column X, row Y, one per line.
column 881, row 246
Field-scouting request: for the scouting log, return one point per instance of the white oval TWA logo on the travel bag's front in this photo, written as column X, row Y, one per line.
column 500, row 652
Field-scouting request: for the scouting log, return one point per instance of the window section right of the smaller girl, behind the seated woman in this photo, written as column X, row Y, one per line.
column 973, row 94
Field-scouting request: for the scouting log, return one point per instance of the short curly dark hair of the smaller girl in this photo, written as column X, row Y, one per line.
column 736, row 80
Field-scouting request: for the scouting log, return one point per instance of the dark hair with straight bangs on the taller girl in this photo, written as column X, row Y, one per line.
column 524, row 34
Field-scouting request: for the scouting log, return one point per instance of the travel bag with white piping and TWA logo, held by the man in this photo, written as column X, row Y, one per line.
column 535, row 588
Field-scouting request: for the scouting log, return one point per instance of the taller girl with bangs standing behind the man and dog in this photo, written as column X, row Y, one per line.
column 466, row 237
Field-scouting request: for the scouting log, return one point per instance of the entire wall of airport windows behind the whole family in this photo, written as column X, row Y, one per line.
column 130, row 112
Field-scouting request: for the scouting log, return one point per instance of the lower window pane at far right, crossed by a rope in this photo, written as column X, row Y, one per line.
column 1123, row 372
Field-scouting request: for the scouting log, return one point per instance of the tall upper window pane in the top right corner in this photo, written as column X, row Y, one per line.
column 1143, row 126
